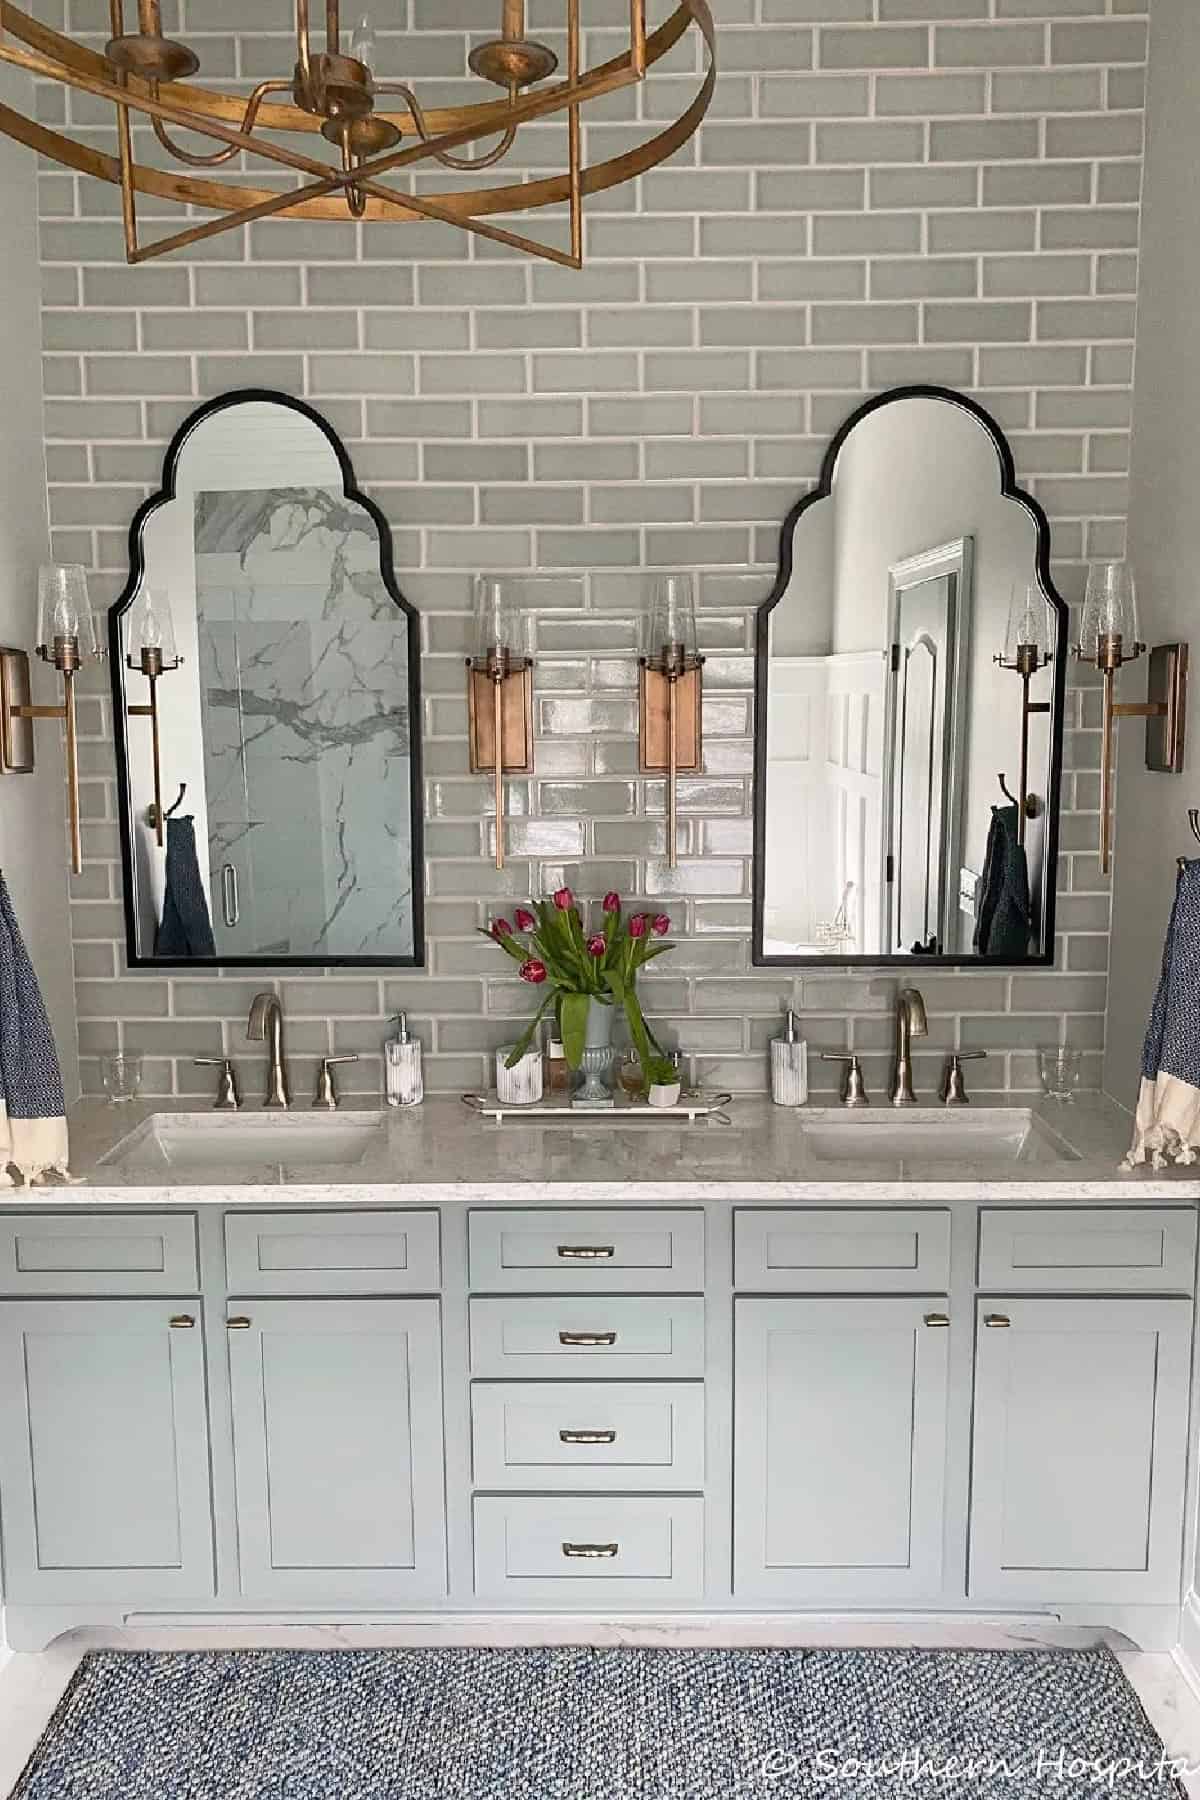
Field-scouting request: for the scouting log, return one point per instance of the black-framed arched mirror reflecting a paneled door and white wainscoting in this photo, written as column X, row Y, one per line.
column 909, row 703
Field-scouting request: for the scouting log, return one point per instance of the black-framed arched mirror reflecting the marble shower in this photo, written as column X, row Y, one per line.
column 267, row 706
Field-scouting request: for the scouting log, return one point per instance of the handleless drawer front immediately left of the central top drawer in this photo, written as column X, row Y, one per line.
column 332, row 1254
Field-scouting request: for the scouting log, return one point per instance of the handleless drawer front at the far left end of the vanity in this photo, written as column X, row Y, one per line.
column 118, row 1254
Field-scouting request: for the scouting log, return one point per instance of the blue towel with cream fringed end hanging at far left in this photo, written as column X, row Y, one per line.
column 33, row 1126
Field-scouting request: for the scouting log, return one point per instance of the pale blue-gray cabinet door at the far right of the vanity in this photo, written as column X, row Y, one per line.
column 1080, row 1450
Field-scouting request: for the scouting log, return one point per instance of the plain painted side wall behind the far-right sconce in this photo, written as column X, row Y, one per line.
column 1165, row 535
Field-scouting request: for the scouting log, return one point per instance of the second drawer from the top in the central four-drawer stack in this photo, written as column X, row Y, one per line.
column 569, row 1336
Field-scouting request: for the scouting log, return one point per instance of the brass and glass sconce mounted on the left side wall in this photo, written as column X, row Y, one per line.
column 66, row 640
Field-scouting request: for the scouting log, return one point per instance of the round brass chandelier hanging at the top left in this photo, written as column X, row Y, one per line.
column 334, row 96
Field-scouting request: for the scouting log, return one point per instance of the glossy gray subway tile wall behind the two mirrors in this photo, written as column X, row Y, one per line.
column 886, row 192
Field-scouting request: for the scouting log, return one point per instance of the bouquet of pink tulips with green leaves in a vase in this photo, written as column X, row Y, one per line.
column 580, row 967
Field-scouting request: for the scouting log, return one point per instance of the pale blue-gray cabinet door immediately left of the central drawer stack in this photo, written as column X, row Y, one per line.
column 339, row 1450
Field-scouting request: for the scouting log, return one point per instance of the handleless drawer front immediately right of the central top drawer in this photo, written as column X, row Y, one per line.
column 839, row 1252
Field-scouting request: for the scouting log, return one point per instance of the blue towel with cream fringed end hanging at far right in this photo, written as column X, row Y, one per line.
column 1169, row 1106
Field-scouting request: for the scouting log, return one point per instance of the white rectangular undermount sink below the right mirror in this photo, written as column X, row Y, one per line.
column 976, row 1137
